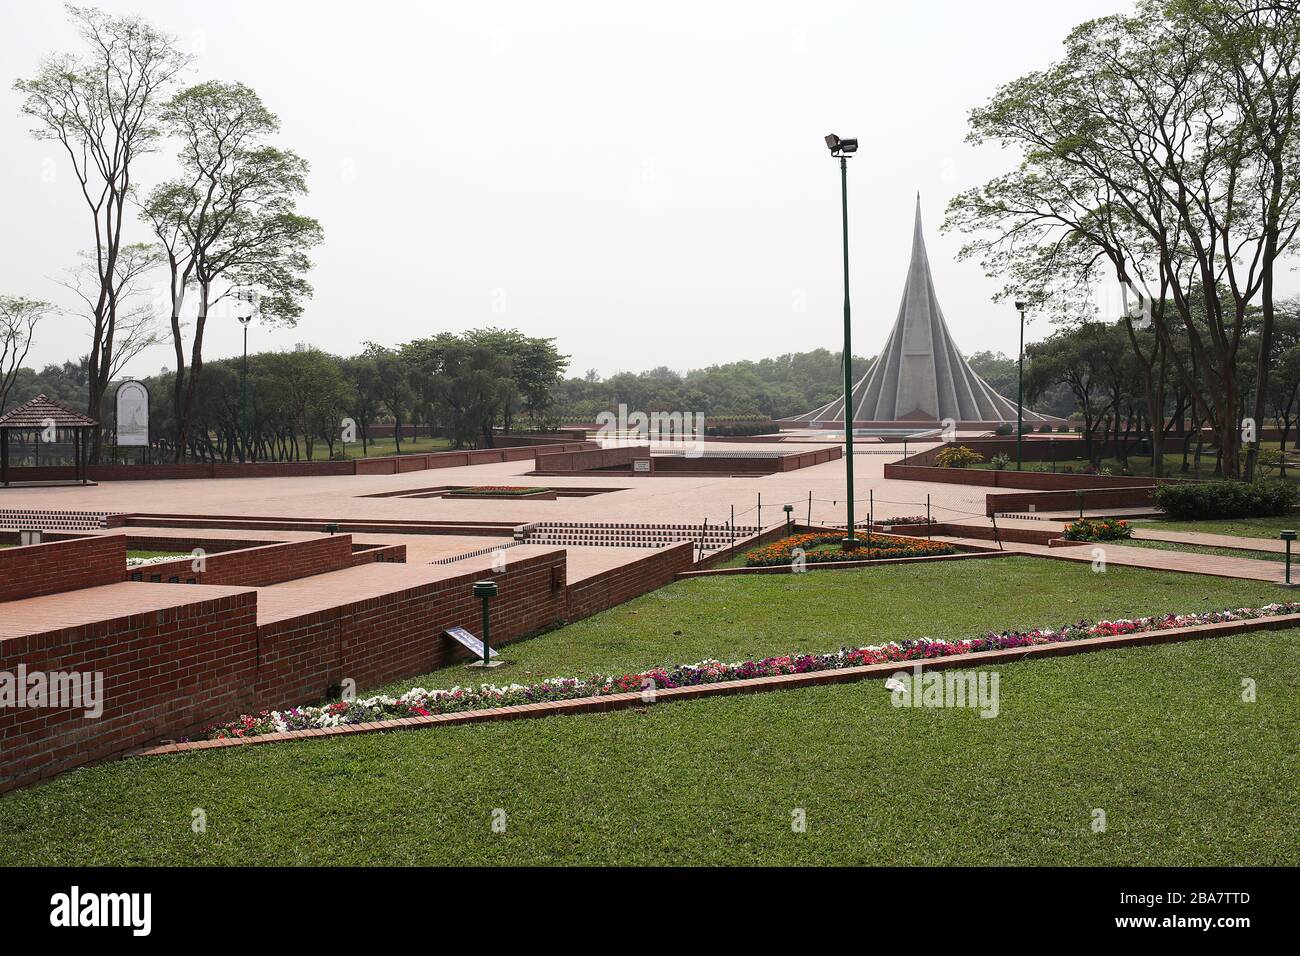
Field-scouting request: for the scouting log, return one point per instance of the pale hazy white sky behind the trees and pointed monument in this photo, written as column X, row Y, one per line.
column 645, row 183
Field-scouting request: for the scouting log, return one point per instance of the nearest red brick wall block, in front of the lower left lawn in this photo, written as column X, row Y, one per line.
column 164, row 673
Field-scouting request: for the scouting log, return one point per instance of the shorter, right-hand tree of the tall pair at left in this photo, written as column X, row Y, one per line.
column 229, row 222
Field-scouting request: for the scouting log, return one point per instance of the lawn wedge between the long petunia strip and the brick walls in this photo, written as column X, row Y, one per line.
column 733, row 618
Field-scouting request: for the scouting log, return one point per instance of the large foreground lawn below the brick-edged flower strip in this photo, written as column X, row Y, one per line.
column 1159, row 738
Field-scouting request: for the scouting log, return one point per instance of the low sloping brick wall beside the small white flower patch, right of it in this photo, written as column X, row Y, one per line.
column 261, row 566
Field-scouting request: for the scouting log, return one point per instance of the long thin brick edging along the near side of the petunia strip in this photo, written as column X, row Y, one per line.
column 783, row 682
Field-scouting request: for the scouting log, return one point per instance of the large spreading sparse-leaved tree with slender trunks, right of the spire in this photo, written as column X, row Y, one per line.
column 1141, row 158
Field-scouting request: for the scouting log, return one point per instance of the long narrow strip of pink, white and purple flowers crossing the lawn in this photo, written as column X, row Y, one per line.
column 422, row 703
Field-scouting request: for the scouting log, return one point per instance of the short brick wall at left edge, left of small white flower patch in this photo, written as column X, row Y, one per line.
column 58, row 566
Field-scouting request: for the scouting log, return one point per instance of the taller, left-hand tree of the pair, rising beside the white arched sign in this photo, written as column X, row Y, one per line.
column 101, row 106
